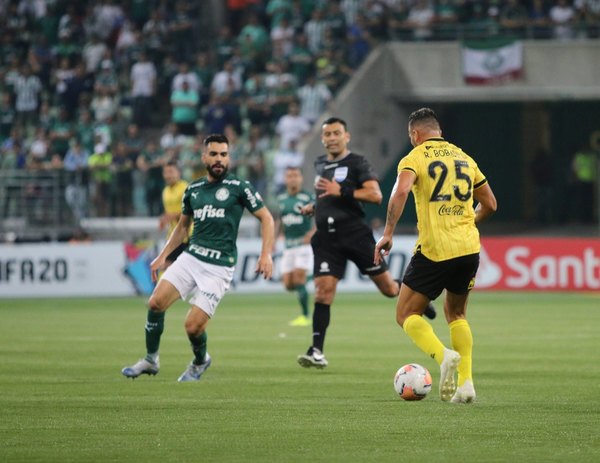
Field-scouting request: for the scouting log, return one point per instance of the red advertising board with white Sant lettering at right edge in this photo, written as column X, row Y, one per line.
column 557, row 264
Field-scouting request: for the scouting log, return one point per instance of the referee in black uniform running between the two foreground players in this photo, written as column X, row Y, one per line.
column 344, row 180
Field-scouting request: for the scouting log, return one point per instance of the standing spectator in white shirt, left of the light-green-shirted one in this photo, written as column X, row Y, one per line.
column 143, row 88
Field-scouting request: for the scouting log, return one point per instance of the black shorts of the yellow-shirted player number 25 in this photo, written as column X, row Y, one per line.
column 431, row 278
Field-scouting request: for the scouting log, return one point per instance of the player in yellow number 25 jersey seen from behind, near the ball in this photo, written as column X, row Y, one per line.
column 444, row 181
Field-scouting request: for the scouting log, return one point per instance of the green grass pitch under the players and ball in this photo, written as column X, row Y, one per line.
column 63, row 399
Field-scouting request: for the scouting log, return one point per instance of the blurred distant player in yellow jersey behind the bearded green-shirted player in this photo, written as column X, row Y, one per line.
column 172, row 196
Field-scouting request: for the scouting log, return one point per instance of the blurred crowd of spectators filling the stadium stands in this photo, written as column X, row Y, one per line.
column 104, row 93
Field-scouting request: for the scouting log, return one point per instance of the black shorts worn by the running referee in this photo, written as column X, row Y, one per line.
column 333, row 250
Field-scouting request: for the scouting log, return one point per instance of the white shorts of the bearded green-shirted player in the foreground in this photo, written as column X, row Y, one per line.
column 198, row 282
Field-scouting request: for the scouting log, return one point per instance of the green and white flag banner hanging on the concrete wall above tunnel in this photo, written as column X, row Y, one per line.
column 492, row 62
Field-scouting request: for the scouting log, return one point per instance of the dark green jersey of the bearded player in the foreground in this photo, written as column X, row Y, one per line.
column 216, row 209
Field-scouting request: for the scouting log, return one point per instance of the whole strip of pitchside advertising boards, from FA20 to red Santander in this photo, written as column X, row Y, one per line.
column 122, row 269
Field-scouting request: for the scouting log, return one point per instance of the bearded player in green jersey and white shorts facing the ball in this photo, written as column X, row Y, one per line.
column 202, row 274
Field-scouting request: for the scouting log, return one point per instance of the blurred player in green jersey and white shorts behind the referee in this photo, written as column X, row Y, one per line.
column 297, row 229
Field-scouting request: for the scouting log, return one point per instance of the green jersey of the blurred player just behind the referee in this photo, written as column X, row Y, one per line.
column 295, row 225
